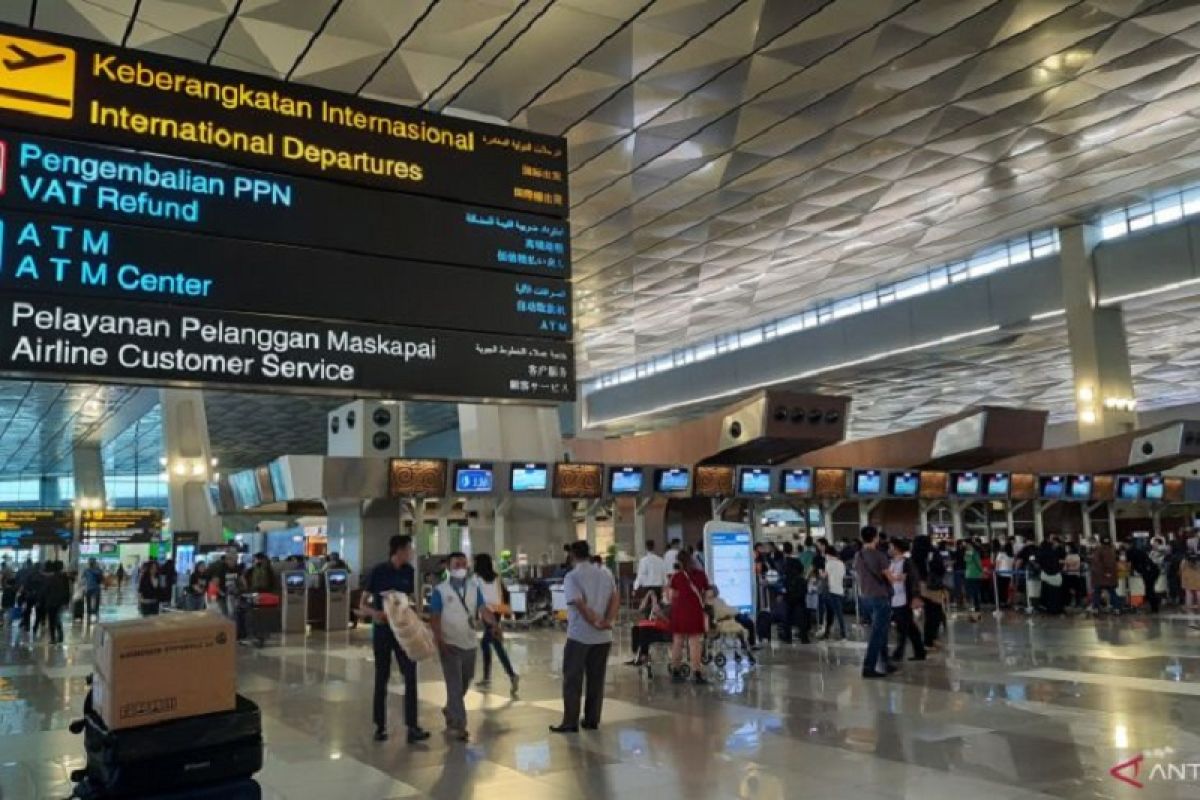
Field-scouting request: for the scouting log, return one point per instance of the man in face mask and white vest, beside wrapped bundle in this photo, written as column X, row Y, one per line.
column 457, row 609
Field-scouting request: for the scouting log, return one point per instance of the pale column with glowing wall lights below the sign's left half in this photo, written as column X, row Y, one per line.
column 189, row 464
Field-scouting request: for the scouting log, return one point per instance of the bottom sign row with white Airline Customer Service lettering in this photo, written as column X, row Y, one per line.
column 45, row 336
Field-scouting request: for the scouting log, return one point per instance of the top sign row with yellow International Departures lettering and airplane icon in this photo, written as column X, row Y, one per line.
column 97, row 93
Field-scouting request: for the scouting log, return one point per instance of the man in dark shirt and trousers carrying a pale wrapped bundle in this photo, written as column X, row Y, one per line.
column 394, row 575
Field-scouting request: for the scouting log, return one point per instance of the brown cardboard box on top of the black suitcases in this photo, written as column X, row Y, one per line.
column 165, row 667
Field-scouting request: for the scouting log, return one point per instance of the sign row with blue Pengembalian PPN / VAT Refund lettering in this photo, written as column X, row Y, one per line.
column 116, row 185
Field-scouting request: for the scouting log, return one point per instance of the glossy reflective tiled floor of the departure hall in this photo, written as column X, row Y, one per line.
column 1011, row 709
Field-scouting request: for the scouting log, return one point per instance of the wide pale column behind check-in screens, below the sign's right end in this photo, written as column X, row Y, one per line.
column 518, row 434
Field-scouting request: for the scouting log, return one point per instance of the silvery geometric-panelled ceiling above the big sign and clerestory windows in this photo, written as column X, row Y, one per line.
column 736, row 160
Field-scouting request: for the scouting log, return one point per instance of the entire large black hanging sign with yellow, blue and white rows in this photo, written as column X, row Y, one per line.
column 167, row 222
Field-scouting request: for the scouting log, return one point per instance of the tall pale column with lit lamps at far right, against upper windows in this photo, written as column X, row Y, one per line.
column 1100, row 356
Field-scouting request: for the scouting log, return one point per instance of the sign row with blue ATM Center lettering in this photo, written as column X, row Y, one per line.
column 53, row 255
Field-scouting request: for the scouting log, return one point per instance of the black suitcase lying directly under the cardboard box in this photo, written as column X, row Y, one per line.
column 171, row 756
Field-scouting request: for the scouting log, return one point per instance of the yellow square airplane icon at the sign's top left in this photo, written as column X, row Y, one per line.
column 37, row 79
